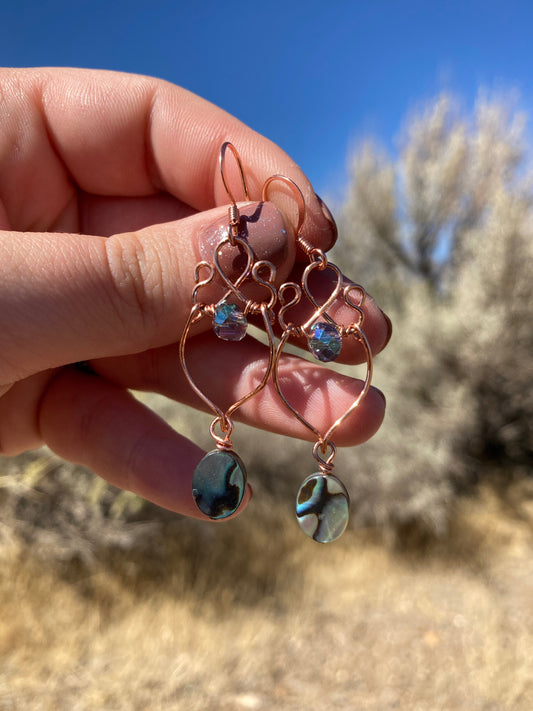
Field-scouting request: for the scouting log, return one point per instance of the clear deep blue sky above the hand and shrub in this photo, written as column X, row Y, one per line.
column 315, row 76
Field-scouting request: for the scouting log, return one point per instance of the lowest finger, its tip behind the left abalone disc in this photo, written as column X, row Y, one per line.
column 89, row 421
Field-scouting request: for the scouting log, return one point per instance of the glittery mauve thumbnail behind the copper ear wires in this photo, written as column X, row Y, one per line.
column 261, row 225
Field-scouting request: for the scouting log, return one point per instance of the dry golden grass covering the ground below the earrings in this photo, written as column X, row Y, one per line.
column 248, row 615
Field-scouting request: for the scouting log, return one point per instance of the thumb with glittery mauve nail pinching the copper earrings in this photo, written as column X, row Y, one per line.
column 70, row 297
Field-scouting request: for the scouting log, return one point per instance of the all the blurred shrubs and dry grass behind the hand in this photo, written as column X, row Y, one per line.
column 427, row 601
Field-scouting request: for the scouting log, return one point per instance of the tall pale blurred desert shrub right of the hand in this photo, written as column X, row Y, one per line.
column 442, row 235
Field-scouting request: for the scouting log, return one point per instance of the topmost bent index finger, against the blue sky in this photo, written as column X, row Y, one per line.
column 72, row 132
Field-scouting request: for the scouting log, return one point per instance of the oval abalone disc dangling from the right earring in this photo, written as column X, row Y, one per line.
column 323, row 507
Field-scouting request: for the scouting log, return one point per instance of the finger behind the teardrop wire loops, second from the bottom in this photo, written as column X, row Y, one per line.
column 226, row 372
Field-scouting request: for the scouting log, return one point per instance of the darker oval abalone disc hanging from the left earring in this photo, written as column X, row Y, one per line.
column 218, row 483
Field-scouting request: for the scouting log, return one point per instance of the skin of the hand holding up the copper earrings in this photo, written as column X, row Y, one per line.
column 108, row 185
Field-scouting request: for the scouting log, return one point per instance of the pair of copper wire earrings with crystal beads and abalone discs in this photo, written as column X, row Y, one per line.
column 219, row 480
